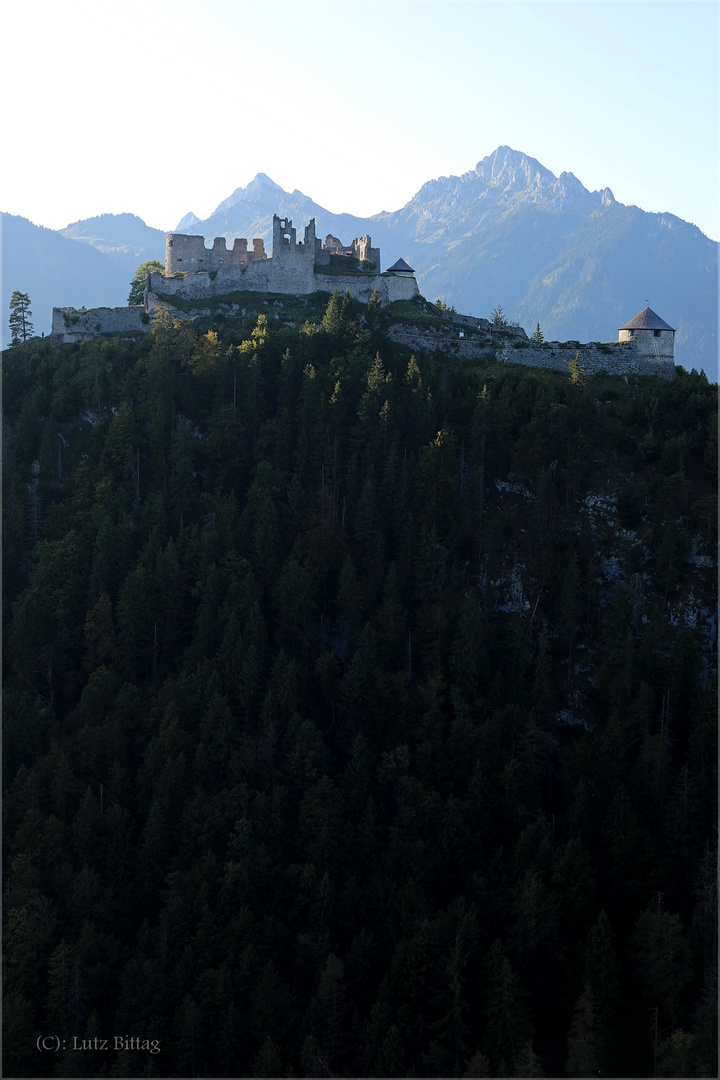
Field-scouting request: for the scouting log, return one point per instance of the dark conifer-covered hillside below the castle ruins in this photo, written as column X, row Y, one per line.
column 360, row 709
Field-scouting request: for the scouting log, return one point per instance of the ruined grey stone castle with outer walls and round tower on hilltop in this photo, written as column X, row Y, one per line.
column 301, row 268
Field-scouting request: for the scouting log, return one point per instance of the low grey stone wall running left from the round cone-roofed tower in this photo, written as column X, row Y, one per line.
column 616, row 358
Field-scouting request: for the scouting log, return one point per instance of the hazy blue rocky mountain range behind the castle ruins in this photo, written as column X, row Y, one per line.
column 507, row 233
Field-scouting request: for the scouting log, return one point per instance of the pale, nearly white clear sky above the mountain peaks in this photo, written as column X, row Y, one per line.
column 162, row 107
